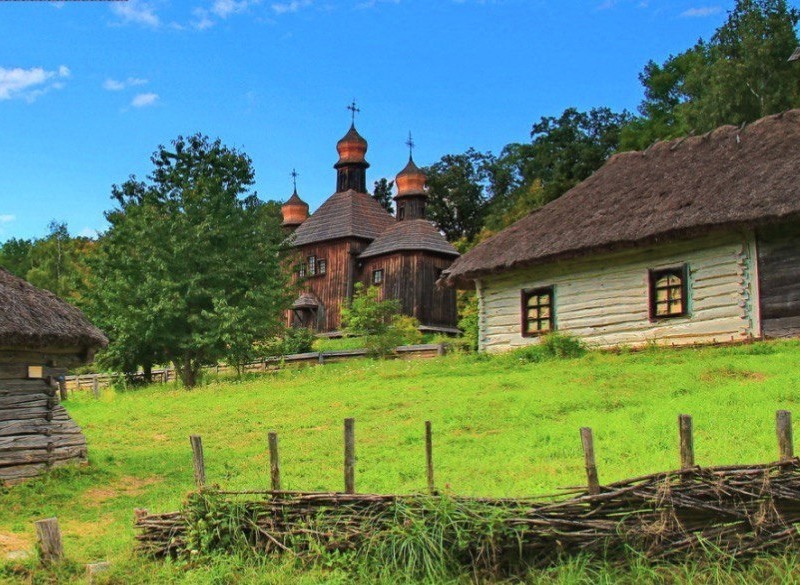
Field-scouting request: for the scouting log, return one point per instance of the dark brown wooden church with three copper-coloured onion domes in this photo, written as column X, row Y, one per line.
column 351, row 238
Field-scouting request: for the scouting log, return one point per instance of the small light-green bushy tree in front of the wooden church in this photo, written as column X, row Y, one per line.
column 379, row 322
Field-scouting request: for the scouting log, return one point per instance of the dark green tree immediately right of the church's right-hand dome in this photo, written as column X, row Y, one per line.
column 458, row 193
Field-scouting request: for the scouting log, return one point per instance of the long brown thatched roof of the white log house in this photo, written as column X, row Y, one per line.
column 727, row 178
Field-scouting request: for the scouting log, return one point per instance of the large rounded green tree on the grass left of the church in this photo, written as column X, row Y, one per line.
column 191, row 270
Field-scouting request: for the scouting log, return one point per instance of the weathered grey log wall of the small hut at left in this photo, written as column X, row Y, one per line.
column 36, row 432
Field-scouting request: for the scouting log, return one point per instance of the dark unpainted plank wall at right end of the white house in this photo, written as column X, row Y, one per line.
column 779, row 276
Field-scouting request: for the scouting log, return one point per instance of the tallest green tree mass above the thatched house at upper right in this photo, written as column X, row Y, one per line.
column 740, row 75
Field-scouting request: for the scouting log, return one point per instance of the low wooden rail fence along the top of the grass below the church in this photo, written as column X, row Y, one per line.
column 95, row 382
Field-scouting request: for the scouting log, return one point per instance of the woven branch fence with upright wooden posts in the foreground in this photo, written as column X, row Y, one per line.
column 739, row 510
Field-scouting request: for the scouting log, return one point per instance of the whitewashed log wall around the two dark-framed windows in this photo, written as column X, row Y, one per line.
column 604, row 299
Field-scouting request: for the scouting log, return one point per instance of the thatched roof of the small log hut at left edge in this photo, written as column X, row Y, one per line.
column 33, row 318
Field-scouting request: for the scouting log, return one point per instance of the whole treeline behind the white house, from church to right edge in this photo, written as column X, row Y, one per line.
column 739, row 75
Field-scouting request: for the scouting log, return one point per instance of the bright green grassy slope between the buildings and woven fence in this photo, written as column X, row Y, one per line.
column 501, row 428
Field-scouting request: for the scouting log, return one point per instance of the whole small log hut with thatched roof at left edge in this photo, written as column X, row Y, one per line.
column 40, row 337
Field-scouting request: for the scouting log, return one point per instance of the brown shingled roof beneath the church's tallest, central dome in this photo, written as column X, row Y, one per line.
column 344, row 215
